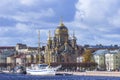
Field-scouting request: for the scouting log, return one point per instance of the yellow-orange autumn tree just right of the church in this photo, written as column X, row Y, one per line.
column 87, row 56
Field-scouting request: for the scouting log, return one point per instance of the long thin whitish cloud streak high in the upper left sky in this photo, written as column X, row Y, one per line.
column 32, row 16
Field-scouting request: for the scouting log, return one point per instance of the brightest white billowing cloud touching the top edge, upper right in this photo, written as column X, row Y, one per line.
column 94, row 9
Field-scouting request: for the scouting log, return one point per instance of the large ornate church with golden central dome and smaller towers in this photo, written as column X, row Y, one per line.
column 61, row 47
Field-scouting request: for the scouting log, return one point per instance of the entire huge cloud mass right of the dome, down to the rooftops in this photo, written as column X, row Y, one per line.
column 99, row 20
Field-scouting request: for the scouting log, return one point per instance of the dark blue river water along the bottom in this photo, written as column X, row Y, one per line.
column 4, row 76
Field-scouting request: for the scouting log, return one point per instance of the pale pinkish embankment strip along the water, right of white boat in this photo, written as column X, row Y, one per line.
column 93, row 73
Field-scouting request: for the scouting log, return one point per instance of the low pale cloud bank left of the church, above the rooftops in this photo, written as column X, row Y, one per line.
column 23, row 33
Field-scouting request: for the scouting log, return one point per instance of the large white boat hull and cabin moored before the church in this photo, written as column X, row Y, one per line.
column 42, row 69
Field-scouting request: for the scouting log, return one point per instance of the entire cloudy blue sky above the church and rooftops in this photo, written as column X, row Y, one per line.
column 94, row 21
